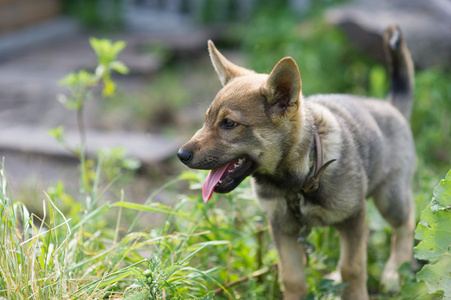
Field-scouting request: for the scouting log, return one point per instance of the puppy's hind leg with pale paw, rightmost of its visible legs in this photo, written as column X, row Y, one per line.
column 396, row 205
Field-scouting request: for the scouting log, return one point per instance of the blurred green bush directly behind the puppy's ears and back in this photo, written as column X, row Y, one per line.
column 327, row 61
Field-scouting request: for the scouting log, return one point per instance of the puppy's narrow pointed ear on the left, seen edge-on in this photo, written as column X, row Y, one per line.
column 225, row 69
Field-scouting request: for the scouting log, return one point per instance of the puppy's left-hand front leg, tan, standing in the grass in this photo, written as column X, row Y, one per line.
column 291, row 262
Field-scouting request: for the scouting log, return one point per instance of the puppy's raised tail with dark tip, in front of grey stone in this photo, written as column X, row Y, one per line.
column 401, row 70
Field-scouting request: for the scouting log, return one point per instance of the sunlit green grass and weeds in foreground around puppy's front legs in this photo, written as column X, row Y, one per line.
column 200, row 251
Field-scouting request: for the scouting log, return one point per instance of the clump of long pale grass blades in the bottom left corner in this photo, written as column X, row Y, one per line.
column 52, row 257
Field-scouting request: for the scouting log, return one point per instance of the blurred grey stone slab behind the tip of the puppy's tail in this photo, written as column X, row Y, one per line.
column 426, row 26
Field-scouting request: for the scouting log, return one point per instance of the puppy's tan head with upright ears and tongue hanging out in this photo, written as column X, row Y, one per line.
column 246, row 124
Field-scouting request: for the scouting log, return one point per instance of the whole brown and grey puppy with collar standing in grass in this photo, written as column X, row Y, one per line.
column 314, row 161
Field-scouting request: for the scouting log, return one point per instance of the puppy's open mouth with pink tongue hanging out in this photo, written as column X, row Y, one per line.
column 227, row 177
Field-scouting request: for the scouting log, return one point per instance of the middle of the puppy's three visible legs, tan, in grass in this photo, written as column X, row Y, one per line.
column 352, row 264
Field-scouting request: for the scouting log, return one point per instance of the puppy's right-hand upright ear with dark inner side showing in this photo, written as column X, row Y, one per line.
column 282, row 89
